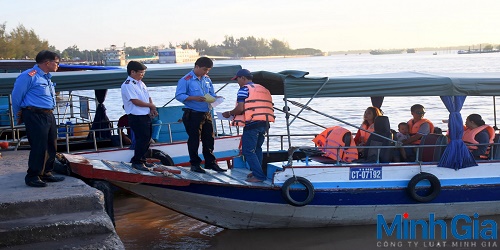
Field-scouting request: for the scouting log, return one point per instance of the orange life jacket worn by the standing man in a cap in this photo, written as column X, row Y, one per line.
column 258, row 106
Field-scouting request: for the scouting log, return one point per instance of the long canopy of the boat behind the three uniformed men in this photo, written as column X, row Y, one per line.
column 108, row 79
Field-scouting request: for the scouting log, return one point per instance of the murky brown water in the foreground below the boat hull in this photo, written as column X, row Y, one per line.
column 142, row 224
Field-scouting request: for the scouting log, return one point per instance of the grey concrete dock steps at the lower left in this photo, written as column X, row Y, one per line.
column 64, row 215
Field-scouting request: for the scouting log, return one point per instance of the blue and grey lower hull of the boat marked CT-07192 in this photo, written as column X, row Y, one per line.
column 265, row 208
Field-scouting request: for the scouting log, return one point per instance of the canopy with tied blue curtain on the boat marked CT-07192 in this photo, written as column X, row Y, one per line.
column 452, row 88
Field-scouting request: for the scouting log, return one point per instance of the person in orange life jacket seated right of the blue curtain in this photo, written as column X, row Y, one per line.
column 477, row 132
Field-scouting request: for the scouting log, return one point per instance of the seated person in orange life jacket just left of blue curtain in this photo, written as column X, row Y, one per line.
column 419, row 126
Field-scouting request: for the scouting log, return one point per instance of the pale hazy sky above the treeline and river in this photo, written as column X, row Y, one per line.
column 328, row 25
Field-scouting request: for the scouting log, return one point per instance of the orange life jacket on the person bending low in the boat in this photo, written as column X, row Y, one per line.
column 332, row 138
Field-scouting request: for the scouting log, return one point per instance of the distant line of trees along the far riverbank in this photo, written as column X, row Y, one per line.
column 21, row 43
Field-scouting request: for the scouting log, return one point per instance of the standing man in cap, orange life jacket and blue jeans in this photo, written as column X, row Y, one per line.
column 255, row 129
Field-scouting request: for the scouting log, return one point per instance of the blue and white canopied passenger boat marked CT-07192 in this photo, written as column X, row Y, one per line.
column 307, row 190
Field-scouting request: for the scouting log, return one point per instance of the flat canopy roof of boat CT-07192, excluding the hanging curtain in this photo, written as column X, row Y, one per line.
column 296, row 85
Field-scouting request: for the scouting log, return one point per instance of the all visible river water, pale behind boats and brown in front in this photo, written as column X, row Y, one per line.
column 145, row 225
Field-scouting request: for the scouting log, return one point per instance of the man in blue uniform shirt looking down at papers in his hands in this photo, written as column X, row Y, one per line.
column 192, row 90
